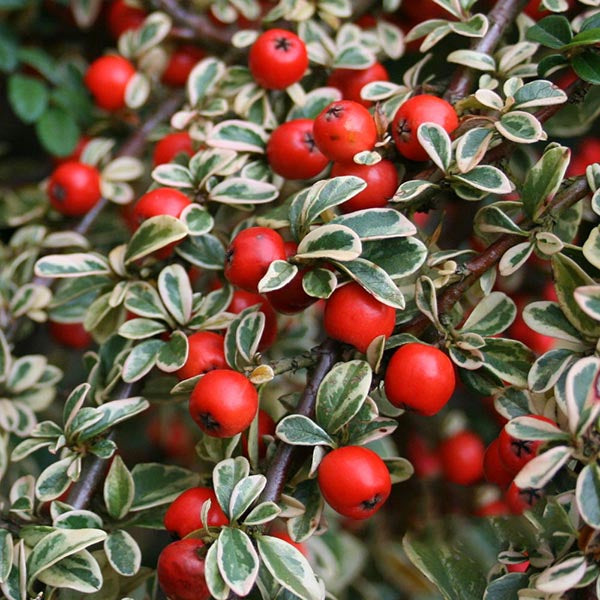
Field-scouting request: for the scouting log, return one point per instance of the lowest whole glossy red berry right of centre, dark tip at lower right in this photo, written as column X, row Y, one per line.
column 354, row 481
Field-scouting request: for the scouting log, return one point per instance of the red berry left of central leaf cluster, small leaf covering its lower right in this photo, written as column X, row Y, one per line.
column 249, row 255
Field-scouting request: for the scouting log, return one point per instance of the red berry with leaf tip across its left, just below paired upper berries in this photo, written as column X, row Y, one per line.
column 381, row 180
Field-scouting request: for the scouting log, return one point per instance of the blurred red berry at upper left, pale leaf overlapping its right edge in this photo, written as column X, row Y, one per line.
column 107, row 78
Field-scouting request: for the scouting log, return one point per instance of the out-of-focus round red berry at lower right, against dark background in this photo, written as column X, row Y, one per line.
column 462, row 457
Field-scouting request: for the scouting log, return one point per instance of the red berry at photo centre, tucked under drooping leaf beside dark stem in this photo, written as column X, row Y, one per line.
column 355, row 317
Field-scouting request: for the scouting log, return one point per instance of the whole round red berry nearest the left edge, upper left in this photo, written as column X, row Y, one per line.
column 74, row 188
